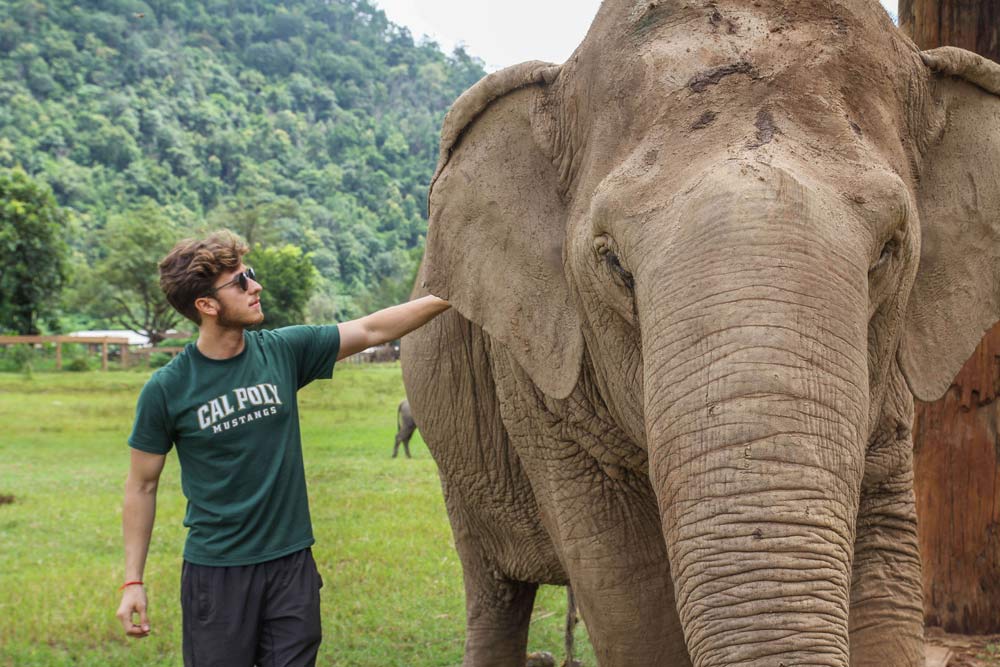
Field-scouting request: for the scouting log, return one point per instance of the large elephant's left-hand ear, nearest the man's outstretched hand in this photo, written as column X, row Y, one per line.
column 497, row 224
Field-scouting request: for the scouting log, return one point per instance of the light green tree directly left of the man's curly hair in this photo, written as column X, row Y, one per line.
column 125, row 283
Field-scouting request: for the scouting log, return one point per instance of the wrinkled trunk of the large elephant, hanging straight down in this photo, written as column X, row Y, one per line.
column 756, row 398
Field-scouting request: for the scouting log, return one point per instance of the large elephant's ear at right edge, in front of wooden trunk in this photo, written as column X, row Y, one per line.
column 956, row 294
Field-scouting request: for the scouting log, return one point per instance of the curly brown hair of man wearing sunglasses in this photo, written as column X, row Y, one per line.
column 192, row 267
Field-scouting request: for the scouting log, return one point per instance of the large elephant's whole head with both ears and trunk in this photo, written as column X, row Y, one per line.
column 755, row 224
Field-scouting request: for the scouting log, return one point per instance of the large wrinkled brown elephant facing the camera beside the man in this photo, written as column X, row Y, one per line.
column 698, row 273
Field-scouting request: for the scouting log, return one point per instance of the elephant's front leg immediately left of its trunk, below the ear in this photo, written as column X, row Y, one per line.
column 598, row 504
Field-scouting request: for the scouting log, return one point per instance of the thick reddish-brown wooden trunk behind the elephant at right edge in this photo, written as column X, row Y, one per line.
column 956, row 446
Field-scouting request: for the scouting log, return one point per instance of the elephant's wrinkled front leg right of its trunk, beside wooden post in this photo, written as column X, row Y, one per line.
column 886, row 619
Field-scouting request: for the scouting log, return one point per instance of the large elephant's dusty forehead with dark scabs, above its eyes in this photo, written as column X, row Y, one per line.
column 731, row 77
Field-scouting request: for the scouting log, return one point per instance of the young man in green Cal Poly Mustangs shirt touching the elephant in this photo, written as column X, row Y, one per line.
column 249, row 585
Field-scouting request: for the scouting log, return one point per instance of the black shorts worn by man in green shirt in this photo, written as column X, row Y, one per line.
column 265, row 614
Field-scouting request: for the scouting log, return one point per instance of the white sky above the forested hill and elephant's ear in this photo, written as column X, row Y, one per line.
column 503, row 32
